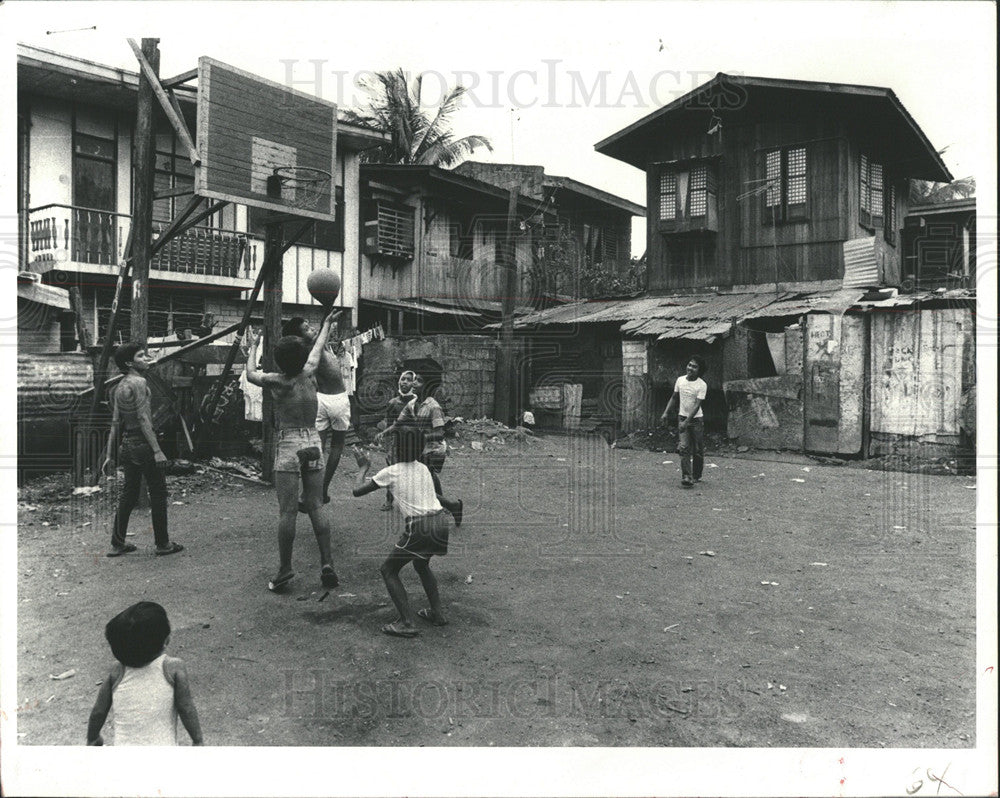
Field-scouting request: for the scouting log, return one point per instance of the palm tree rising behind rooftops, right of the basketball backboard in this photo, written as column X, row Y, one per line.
column 415, row 136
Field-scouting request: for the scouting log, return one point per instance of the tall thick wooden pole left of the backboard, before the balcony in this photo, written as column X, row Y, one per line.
column 142, row 194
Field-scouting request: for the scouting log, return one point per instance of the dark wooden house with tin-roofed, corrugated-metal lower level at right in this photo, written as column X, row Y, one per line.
column 776, row 207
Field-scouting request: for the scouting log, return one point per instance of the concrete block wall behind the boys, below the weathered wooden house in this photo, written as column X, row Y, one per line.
column 468, row 372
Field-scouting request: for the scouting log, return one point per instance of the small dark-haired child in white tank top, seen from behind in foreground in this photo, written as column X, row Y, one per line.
column 147, row 689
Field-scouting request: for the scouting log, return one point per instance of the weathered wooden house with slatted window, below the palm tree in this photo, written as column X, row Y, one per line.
column 435, row 245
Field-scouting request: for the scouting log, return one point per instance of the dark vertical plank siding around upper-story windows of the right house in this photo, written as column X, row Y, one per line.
column 748, row 248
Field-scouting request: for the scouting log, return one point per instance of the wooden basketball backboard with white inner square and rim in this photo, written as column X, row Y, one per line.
column 248, row 127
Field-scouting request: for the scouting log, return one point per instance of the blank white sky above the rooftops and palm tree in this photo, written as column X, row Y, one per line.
column 549, row 80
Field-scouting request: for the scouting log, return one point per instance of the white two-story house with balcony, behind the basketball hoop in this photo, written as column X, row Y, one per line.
column 74, row 156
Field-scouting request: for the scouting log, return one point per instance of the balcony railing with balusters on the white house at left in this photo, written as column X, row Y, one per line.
column 61, row 235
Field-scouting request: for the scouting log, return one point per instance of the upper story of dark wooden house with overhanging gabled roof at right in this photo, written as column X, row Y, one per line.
column 756, row 181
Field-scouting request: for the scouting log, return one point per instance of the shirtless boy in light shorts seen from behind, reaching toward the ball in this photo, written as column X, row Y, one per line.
column 298, row 450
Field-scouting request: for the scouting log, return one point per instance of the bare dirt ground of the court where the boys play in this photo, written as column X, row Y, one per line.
column 592, row 602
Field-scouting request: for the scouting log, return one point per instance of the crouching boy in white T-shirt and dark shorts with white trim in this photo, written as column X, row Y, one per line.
column 427, row 526
